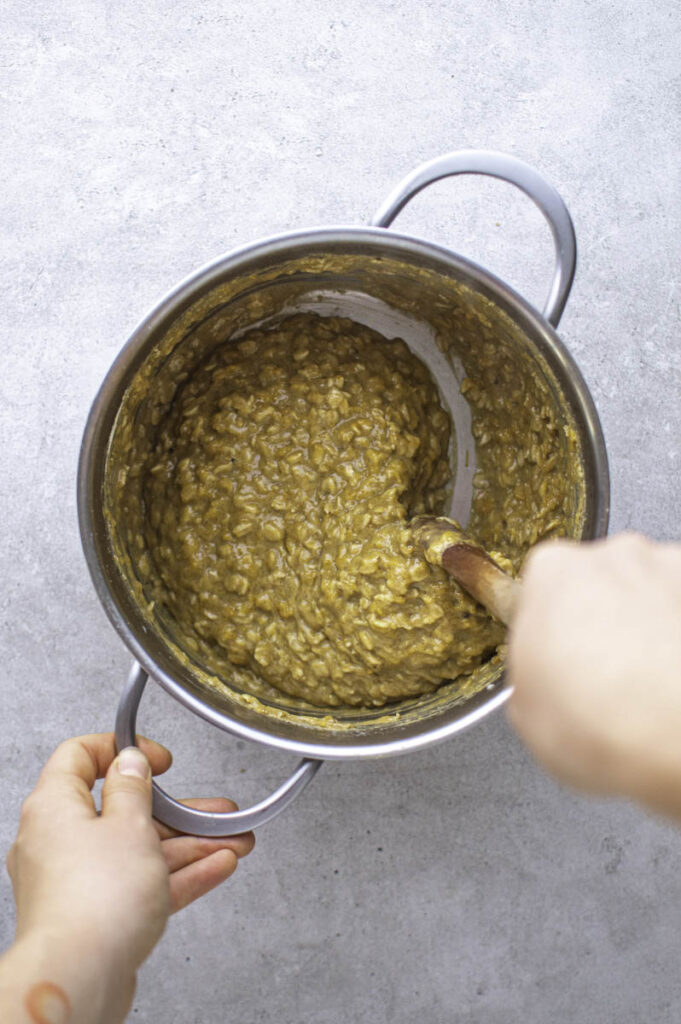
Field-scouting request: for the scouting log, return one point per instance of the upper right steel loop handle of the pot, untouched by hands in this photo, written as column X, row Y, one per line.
column 498, row 165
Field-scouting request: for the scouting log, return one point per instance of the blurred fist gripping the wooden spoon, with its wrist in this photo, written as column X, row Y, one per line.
column 595, row 662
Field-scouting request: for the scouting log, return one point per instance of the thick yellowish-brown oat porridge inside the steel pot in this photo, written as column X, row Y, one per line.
column 269, row 506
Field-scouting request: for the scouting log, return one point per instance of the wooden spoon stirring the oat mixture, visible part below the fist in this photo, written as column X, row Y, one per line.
column 446, row 544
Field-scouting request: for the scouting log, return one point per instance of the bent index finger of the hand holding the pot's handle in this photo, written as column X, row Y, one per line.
column 89, row 758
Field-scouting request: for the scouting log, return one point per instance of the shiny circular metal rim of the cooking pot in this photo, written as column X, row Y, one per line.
column 200, row 282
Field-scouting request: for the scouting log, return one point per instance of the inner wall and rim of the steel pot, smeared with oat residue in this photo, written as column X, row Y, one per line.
column 448, row 312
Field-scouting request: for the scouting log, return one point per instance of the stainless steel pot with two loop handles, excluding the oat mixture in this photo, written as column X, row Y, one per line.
column 389, row 281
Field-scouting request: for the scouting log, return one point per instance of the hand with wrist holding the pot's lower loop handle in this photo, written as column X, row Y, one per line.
column 94, row 893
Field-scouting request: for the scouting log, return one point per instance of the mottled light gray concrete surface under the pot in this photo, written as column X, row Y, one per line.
column 142, row 140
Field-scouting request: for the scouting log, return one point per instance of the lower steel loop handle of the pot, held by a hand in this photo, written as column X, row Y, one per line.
column 189, row 820
